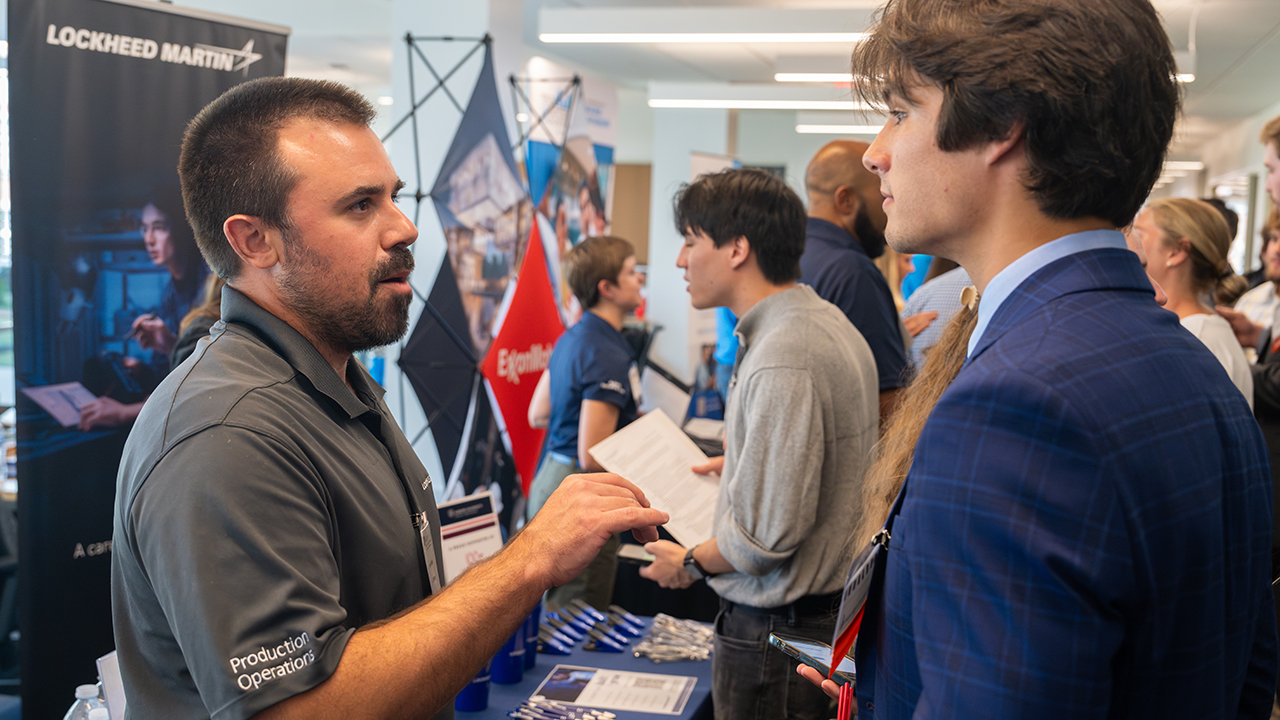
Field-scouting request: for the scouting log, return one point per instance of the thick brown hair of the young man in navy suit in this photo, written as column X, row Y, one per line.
column 1091, row 83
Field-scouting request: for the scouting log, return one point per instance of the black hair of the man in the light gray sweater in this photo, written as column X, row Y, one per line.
column 752, row 204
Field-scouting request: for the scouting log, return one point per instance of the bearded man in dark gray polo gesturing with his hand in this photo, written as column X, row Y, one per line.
column 276, row 536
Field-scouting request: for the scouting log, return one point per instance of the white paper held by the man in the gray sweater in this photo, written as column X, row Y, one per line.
column 657, row 457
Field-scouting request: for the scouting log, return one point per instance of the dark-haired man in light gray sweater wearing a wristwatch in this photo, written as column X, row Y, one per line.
column 801, row 422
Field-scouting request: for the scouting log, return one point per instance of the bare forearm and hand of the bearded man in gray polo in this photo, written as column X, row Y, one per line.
column 410, row 667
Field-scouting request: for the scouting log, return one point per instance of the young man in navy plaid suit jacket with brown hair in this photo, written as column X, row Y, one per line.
column 1086, row 528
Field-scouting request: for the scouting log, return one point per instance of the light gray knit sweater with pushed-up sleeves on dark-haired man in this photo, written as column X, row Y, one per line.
column 803, row 414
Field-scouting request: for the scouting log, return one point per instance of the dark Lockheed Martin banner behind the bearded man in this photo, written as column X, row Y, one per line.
column 100, row 94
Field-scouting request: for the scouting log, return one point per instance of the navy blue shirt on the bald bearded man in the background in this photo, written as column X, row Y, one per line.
column 840, row 272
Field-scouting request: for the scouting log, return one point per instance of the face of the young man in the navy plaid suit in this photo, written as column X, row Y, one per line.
column 930, row 197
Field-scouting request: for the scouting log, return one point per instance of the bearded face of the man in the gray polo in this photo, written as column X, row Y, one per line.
column 346, row 261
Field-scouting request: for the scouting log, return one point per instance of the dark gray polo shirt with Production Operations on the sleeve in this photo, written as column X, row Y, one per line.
column 264, row 513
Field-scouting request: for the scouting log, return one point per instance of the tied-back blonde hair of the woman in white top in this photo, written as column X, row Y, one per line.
column 1210, row 239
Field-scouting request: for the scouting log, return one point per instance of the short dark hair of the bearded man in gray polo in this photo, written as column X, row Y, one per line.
column 231, row 163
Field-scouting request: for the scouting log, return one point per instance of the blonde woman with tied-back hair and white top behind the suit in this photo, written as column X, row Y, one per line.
column 1187, row 244
